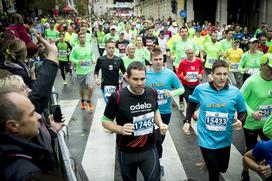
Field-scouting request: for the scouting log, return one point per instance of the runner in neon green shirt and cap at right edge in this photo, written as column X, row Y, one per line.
column 257, row 91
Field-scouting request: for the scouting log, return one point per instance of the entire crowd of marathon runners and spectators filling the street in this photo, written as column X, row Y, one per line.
column 222, row 75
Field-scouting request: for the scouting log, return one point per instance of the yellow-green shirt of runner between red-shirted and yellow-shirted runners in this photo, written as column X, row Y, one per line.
column 213, row 51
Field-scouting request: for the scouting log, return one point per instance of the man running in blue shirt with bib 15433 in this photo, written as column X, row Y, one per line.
column 218, row 101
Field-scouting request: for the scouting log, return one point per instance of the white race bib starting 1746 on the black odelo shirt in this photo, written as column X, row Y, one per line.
column 143, row 124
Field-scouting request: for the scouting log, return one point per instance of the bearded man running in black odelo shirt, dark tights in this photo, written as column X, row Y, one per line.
column 136, row 111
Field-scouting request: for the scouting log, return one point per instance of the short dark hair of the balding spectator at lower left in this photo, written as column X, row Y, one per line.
column 8, row 110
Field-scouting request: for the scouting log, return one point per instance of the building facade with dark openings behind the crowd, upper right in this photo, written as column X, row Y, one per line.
column 246, row 12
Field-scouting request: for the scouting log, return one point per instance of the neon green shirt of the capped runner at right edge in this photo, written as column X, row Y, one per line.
column 258, row 96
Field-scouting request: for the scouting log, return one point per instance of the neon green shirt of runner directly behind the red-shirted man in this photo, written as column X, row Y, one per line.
column 179, row 47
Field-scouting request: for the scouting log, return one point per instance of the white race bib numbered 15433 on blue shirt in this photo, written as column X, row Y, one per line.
column 216, row 121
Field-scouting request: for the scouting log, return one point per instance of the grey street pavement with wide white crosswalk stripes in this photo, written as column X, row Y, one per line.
column 94, row 150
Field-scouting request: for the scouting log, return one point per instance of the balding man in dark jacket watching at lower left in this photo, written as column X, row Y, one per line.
column 20, row 158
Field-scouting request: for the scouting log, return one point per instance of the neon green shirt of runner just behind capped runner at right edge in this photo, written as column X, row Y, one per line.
column 250, row 61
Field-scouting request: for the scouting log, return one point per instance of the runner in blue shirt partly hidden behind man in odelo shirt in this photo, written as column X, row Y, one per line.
column 164, row 81
